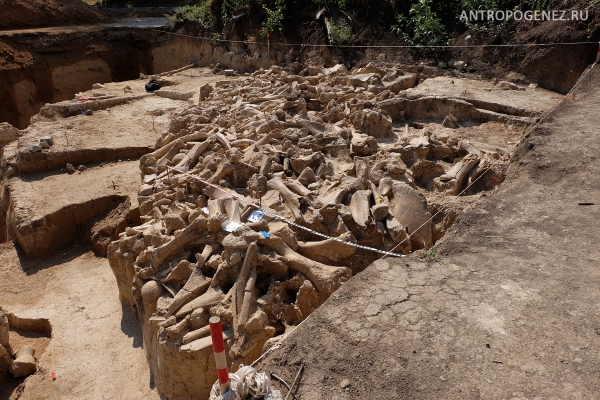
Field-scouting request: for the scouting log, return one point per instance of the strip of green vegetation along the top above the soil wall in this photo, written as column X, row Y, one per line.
column 418, row 22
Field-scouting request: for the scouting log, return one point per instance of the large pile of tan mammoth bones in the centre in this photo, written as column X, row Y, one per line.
column 317, row 150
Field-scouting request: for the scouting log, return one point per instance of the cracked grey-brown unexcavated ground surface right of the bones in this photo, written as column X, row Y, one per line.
column 509, row 311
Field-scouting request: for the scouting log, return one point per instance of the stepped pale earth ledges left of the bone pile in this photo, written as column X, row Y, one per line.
column 103, row 143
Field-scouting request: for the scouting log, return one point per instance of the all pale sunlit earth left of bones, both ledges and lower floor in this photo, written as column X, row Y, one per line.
column 97, row 342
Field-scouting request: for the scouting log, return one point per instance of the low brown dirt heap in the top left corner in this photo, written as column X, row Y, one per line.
column 40, row 13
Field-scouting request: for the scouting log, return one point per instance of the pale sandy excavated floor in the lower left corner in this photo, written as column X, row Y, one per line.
column 96, row 341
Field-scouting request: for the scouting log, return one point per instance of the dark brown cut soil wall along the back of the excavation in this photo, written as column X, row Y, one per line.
column 57, row 65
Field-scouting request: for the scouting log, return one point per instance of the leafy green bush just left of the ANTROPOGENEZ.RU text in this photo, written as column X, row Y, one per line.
column 423, row 28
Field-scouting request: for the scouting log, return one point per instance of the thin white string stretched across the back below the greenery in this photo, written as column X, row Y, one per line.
column 377, row 46
